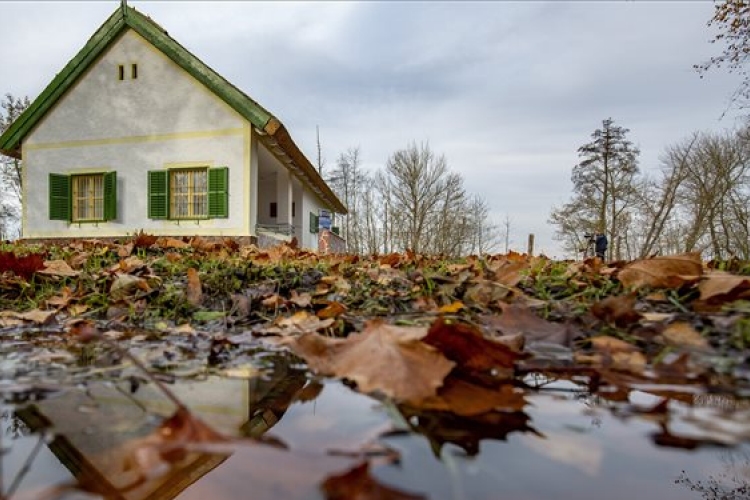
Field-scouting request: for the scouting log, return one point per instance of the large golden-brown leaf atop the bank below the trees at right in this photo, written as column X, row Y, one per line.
column 663, row 271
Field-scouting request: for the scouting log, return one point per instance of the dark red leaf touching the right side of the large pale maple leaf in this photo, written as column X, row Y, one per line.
column 475, row 355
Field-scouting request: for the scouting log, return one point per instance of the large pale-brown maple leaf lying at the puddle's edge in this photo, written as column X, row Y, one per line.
column 383, row 358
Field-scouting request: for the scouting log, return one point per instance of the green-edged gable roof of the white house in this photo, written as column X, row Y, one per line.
column 127, row 17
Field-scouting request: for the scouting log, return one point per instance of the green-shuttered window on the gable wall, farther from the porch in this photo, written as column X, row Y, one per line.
column 83, row 198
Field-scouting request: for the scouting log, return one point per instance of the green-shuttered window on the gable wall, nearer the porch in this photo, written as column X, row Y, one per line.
column 188, row 193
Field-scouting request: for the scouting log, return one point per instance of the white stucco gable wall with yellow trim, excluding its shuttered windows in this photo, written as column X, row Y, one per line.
column 162, row 119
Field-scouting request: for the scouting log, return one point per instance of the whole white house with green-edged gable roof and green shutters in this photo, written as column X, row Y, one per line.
column 136, row 133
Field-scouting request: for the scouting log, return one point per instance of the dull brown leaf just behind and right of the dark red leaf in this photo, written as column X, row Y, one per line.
column 517, row 319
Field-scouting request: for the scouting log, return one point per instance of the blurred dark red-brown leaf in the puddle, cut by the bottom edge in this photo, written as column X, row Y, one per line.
column 357, row 483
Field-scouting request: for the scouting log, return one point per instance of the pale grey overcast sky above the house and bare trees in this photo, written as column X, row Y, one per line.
column 506, row 90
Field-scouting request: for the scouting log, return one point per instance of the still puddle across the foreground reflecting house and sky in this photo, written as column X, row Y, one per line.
column 564, row 443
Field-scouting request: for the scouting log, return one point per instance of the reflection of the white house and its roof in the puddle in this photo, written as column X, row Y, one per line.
column 96, row 448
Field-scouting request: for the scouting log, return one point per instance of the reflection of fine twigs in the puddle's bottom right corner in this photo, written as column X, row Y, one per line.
column 731, row 484
